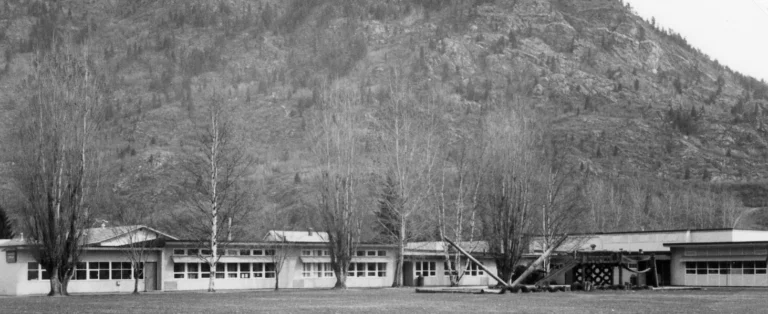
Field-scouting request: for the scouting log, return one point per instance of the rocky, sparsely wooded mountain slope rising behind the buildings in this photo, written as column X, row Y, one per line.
column 627, row 101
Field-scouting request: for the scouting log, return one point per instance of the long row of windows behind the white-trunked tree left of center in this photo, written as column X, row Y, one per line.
column 224, row 270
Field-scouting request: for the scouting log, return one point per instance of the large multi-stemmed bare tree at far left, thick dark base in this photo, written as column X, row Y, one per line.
column 55, row 158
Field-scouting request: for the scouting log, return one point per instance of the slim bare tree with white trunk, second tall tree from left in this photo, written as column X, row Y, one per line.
column 216, row 167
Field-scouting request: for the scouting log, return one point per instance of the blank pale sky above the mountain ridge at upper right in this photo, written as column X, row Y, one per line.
column 734, row 32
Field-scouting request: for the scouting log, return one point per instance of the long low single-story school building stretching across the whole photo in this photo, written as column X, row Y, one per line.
column 708, row 257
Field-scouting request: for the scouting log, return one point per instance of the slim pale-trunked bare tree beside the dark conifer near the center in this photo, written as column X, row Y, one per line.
column 408, row 150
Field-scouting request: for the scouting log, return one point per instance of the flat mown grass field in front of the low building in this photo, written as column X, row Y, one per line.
column 400, row 301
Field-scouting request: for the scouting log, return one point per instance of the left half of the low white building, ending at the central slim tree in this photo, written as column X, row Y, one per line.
column 173, row 264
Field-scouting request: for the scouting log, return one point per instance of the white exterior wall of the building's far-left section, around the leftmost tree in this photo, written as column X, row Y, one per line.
column 13, row 277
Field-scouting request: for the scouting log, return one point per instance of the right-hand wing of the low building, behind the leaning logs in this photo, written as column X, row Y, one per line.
column 705, row 257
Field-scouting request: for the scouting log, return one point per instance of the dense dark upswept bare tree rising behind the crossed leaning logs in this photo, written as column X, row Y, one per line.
column 509, row 187
